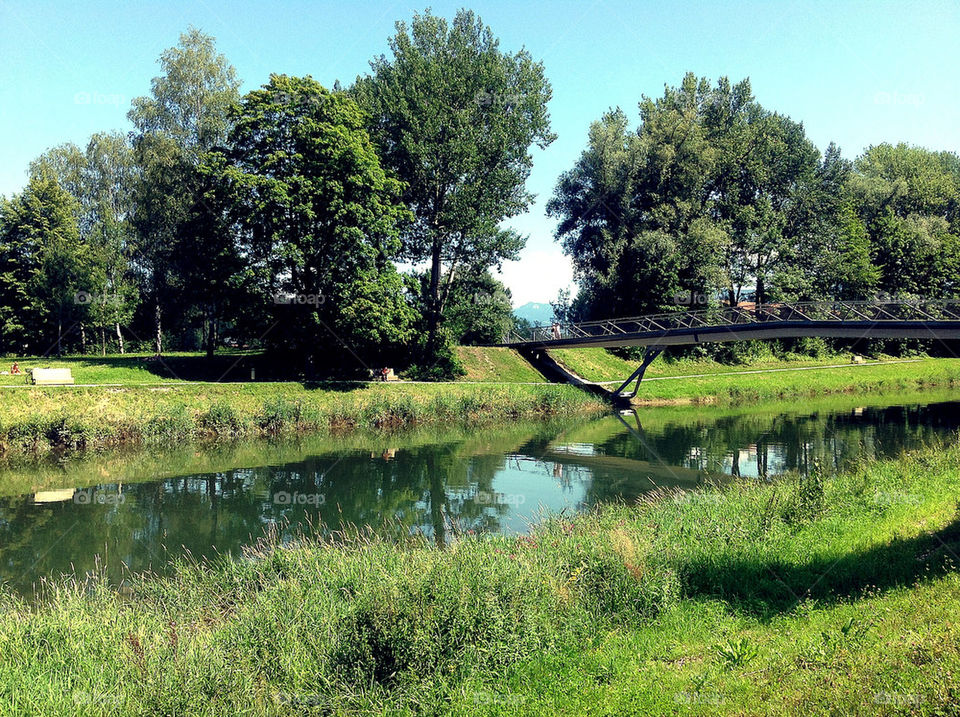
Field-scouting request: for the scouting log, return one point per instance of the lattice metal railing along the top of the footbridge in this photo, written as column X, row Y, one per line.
column 831, row 311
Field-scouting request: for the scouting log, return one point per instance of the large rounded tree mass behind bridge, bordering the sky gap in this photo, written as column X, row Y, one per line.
column 706, row 194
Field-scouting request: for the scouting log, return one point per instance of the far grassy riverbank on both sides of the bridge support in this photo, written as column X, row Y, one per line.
column 127, row 410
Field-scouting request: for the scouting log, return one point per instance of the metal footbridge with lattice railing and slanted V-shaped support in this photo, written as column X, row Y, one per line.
column 913, row 319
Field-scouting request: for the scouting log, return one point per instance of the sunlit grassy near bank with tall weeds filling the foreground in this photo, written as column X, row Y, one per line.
column 826, row 595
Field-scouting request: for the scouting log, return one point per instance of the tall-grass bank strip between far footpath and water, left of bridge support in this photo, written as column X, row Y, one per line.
column 74, row 418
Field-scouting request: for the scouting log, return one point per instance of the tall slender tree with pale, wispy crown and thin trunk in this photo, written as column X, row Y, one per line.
column 186, row 115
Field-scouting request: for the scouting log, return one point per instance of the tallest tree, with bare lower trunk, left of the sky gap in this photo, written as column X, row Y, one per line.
column 455, row 118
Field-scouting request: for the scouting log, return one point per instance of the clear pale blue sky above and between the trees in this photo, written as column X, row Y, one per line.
column 856, row 73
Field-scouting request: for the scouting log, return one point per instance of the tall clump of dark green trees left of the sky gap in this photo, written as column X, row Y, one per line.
column 278, row 218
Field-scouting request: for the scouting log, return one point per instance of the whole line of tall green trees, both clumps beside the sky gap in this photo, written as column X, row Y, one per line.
column 279, row 218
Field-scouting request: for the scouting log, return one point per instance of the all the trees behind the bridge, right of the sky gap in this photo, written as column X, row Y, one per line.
column 713, row 198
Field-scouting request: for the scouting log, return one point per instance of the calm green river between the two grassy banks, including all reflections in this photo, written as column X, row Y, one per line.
column 127, row 512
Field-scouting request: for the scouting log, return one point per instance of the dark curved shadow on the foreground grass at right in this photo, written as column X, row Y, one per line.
column 766, row 587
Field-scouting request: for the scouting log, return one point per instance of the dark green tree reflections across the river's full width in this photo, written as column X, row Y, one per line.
column 432, row 487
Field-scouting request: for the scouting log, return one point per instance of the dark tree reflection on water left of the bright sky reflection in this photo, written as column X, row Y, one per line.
column 427, row 489
